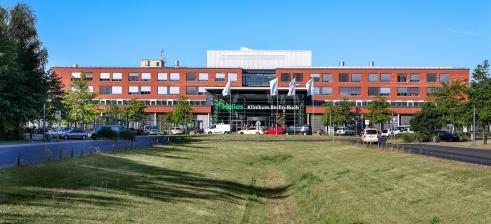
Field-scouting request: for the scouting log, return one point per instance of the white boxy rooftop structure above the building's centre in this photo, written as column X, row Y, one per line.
column 258, row 59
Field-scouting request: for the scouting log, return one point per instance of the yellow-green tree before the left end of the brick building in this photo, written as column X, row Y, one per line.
column 79, row 103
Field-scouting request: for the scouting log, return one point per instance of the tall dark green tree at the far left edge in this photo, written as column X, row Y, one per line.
column 22, row 69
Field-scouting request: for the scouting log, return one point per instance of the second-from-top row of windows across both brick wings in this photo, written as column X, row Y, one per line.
column 324, row 91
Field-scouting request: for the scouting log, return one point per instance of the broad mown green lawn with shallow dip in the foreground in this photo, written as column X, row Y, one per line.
column 220, row 179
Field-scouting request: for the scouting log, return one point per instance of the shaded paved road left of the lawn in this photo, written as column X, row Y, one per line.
column 32, row 153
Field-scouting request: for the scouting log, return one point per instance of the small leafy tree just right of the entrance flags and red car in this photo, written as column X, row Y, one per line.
column 339, row 114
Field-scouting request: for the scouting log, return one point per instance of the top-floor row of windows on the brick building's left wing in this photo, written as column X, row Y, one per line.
column 145, row 77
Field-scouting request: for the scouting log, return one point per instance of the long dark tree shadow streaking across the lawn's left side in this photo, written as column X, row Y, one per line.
column 113, row 182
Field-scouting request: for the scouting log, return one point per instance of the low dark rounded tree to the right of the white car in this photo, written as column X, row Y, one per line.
column 428, row 120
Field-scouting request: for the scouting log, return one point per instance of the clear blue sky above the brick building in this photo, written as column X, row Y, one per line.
column 389, row 32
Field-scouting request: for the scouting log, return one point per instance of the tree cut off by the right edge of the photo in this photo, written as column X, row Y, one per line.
column 481, row 96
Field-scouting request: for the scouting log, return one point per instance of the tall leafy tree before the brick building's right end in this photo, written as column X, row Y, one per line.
column 452, row 101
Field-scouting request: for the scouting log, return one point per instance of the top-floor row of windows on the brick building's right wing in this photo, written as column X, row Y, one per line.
column 355, row 77
